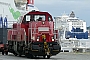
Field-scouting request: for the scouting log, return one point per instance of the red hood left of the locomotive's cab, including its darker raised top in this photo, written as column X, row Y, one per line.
column 18, row 33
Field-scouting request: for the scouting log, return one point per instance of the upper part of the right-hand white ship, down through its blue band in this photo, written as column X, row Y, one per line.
column 71, row 27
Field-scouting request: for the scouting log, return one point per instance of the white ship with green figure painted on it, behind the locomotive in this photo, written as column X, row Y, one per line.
column 11, row 11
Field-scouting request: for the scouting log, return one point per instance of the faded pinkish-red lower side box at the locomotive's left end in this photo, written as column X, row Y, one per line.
column 16, row 35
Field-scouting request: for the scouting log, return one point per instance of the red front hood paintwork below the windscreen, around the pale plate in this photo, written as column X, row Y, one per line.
column 48, row 34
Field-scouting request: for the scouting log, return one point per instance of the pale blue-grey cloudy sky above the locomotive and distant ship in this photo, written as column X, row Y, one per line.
column 81, row 8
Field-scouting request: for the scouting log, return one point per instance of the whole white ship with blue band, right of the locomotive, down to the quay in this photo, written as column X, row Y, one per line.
column 73, row 34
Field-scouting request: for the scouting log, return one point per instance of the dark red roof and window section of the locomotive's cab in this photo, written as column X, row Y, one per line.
column 37, row 17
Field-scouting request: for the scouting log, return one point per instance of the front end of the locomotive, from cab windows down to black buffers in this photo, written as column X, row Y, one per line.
column 42, row 34
